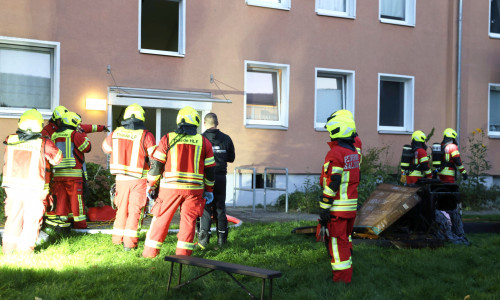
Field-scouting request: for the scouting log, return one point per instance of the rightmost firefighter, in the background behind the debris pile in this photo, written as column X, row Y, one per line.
column 451, row 158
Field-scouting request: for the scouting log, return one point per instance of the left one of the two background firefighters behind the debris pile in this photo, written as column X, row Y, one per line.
column 419, row 165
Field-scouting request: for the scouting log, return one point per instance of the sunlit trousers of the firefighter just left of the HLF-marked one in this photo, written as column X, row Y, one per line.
column 130, row 200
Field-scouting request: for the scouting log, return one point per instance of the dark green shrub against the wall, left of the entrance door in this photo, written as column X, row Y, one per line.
column 99, row 183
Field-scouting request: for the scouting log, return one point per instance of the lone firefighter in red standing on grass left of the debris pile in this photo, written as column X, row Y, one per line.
column 339, row 181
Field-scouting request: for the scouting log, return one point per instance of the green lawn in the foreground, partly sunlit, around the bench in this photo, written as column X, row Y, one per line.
column 79, row 266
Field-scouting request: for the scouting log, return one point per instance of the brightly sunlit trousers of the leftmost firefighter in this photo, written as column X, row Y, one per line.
column 24, row 210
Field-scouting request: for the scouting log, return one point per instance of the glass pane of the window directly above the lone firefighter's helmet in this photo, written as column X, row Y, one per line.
column 330, row 96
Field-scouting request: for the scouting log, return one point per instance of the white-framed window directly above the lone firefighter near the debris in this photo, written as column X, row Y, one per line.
column 334, row 91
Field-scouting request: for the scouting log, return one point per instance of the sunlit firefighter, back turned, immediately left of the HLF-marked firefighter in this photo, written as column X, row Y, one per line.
column 130, row 147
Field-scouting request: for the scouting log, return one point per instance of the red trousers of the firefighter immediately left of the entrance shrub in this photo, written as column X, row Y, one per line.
column 69, row 194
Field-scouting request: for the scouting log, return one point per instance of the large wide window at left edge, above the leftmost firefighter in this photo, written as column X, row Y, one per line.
column 29, row 76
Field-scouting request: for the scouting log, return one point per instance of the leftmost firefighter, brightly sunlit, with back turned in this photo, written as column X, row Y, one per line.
column 27, row 155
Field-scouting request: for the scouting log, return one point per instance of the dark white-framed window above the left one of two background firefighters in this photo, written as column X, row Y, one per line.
column 395, row 103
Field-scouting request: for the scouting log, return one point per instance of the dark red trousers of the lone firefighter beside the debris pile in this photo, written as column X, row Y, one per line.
column 340, row 248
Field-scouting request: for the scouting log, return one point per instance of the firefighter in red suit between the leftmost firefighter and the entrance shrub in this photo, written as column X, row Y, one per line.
column 70, row 174
